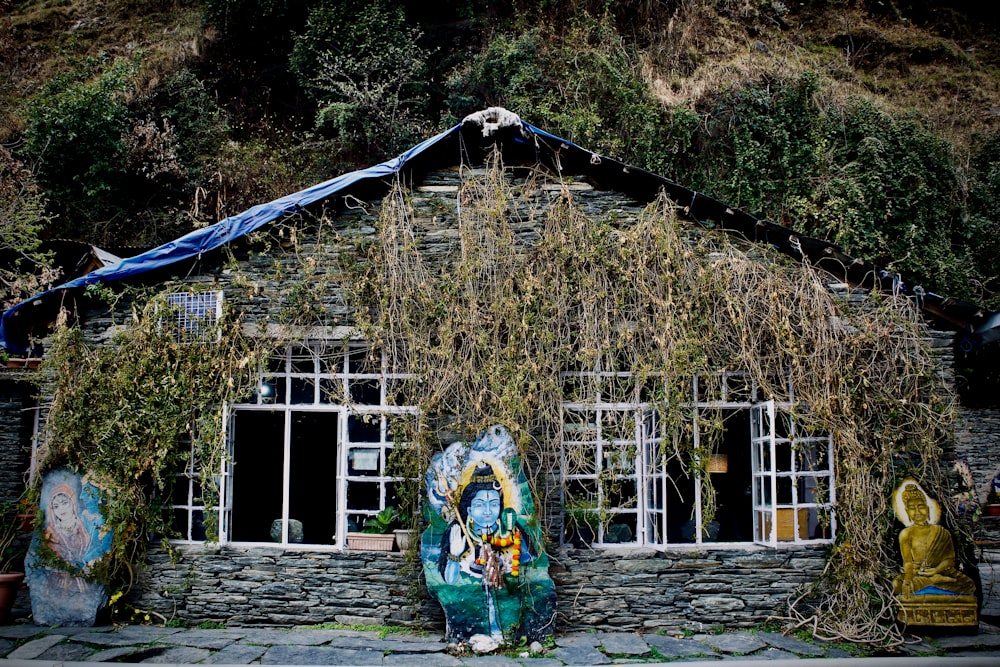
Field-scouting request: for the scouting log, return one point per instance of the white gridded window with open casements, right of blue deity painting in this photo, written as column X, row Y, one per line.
column 788, row 474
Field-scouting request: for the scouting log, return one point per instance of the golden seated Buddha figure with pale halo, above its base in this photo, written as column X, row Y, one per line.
column 928, row 551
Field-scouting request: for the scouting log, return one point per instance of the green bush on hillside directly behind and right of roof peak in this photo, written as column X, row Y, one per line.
column 584, row 83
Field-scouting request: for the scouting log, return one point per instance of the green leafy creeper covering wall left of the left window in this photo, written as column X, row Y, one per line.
column 128, row 412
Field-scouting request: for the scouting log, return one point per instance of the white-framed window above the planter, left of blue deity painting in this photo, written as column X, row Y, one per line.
column 312, row 445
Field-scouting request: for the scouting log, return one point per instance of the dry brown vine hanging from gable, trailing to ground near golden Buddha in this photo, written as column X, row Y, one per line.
column 488, row 328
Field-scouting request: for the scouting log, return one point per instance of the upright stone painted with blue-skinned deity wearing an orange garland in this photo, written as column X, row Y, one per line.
column 483, row 551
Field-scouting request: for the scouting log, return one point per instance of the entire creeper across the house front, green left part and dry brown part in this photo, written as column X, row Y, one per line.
column 536, row 286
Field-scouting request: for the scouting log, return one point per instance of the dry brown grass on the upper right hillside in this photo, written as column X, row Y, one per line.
column 950, row 81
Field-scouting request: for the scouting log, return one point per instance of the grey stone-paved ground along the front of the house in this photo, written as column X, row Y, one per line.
column 271, row 646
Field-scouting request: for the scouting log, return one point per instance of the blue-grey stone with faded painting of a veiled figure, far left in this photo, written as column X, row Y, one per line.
column 73, row 532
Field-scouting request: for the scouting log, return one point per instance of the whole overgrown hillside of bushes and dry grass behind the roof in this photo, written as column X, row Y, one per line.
column 873, row 124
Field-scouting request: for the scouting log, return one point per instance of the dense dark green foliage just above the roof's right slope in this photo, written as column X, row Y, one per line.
column 883, row 187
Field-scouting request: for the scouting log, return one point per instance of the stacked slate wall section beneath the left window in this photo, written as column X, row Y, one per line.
column 274, row 586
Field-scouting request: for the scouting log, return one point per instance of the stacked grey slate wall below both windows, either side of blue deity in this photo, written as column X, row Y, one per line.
column 620, row 589
